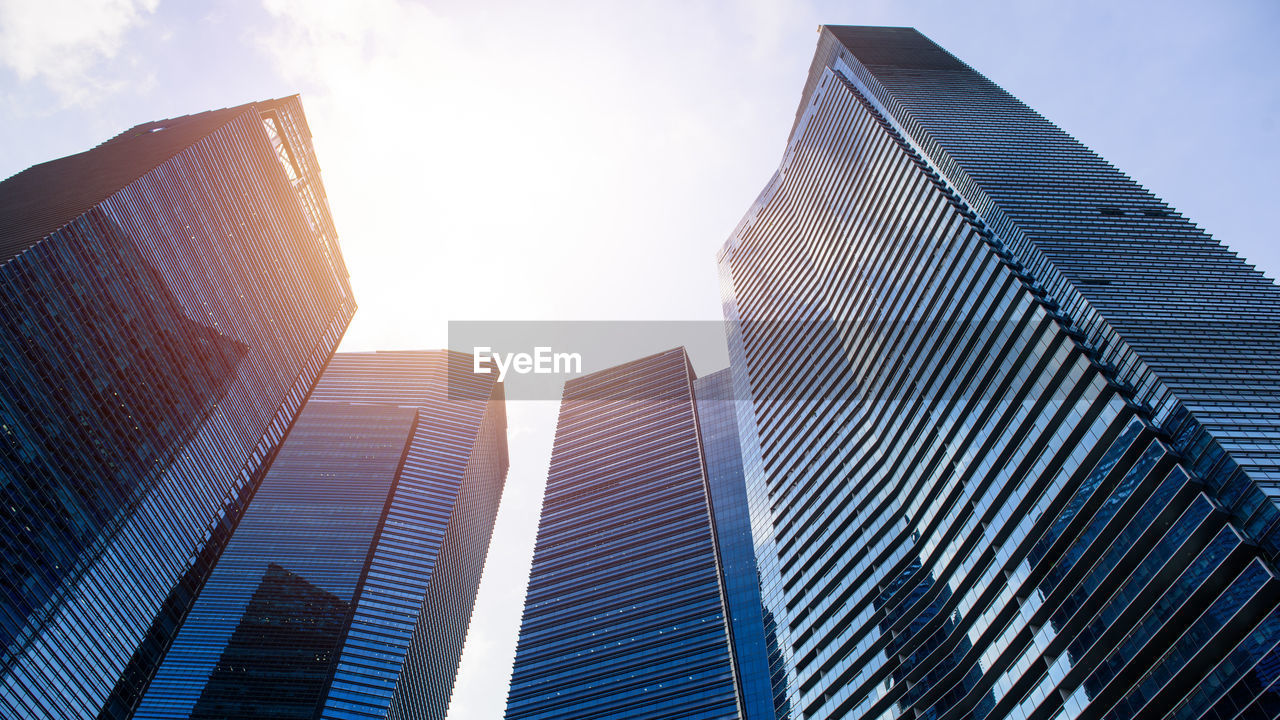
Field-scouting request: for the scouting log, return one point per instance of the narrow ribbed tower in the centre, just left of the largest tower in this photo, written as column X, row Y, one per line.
column 644, row 527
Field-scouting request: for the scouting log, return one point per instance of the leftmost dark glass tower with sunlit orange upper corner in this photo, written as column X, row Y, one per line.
column 167, row 302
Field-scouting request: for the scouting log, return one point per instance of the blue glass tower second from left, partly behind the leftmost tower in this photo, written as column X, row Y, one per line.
column 348, row 589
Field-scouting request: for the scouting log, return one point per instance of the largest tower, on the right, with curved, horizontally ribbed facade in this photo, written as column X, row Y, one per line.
column 1014, row 425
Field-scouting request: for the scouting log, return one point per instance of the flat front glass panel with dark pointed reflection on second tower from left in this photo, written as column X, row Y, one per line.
column 266, row 631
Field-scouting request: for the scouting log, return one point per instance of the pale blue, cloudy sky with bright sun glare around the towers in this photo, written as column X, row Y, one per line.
column 492, row 161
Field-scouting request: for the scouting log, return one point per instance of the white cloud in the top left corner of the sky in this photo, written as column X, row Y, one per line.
column 63, row 43
